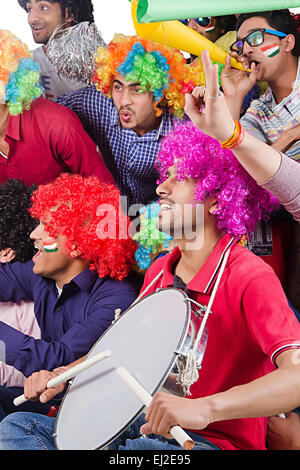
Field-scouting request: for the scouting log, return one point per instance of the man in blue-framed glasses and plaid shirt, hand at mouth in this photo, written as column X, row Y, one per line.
column 267, row 45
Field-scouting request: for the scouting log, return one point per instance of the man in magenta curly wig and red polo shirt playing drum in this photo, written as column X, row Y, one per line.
column 250, row 368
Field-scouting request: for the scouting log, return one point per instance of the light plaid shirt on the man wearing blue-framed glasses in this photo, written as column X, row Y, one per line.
column 266, row 120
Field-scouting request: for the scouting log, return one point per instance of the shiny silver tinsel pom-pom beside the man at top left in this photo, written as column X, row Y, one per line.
column 72, row 50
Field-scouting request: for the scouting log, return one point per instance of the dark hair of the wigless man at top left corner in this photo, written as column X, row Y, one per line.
column 81, row 9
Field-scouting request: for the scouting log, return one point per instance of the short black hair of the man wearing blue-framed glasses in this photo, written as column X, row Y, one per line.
column 281, row 20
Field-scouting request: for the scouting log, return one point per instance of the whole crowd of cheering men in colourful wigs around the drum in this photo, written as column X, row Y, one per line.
column 145, row 132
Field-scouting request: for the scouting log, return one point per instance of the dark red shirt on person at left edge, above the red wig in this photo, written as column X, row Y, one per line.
column 47, row 140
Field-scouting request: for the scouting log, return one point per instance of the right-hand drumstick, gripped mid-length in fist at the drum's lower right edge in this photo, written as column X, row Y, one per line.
column 177, row 432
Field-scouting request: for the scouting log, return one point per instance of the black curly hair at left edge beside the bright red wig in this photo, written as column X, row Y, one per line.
column 16, row 223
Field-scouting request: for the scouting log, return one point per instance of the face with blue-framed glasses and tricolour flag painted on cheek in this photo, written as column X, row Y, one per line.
column 268, row 64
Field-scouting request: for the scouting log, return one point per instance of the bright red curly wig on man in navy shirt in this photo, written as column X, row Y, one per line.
column 87, row 213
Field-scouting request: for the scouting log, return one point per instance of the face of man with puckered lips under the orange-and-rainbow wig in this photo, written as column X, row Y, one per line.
column 135, row 108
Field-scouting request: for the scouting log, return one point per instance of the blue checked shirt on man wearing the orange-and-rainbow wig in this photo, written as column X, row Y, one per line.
column 129, row 157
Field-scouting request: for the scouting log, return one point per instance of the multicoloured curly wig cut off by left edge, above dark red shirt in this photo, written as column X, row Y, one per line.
column 19, row 74
